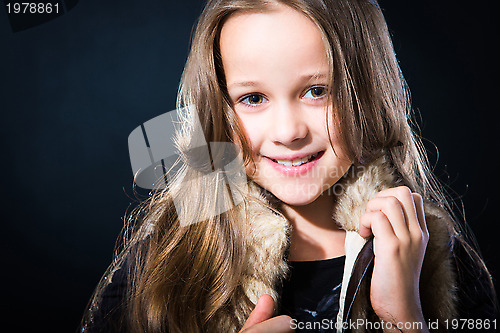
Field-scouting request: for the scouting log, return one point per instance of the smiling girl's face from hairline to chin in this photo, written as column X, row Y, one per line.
column 277, row 72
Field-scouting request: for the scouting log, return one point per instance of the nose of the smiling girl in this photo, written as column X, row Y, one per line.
column 289, row 124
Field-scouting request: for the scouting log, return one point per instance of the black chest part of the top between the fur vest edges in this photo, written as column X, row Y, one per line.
column 311, row 294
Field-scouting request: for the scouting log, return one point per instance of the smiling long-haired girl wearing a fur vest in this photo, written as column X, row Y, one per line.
column 339, row 224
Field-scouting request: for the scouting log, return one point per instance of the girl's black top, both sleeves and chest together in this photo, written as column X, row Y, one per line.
column 311, row 294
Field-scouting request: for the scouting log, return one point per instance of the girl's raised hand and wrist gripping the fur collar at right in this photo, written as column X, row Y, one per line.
column 396, row 219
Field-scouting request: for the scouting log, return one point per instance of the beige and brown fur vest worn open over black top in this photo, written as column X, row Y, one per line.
column 268, row 235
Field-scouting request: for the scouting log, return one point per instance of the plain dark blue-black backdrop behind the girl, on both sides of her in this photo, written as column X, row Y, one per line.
column 74, row 88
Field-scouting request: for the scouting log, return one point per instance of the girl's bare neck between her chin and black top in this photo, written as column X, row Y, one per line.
column 315, row 235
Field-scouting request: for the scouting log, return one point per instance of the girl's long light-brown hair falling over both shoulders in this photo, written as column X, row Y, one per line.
column 184, row 277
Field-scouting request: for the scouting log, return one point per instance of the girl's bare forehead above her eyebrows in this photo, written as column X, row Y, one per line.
column 278, row 39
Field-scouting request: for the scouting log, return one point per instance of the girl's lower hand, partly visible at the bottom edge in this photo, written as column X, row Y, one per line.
column 260, row 320
